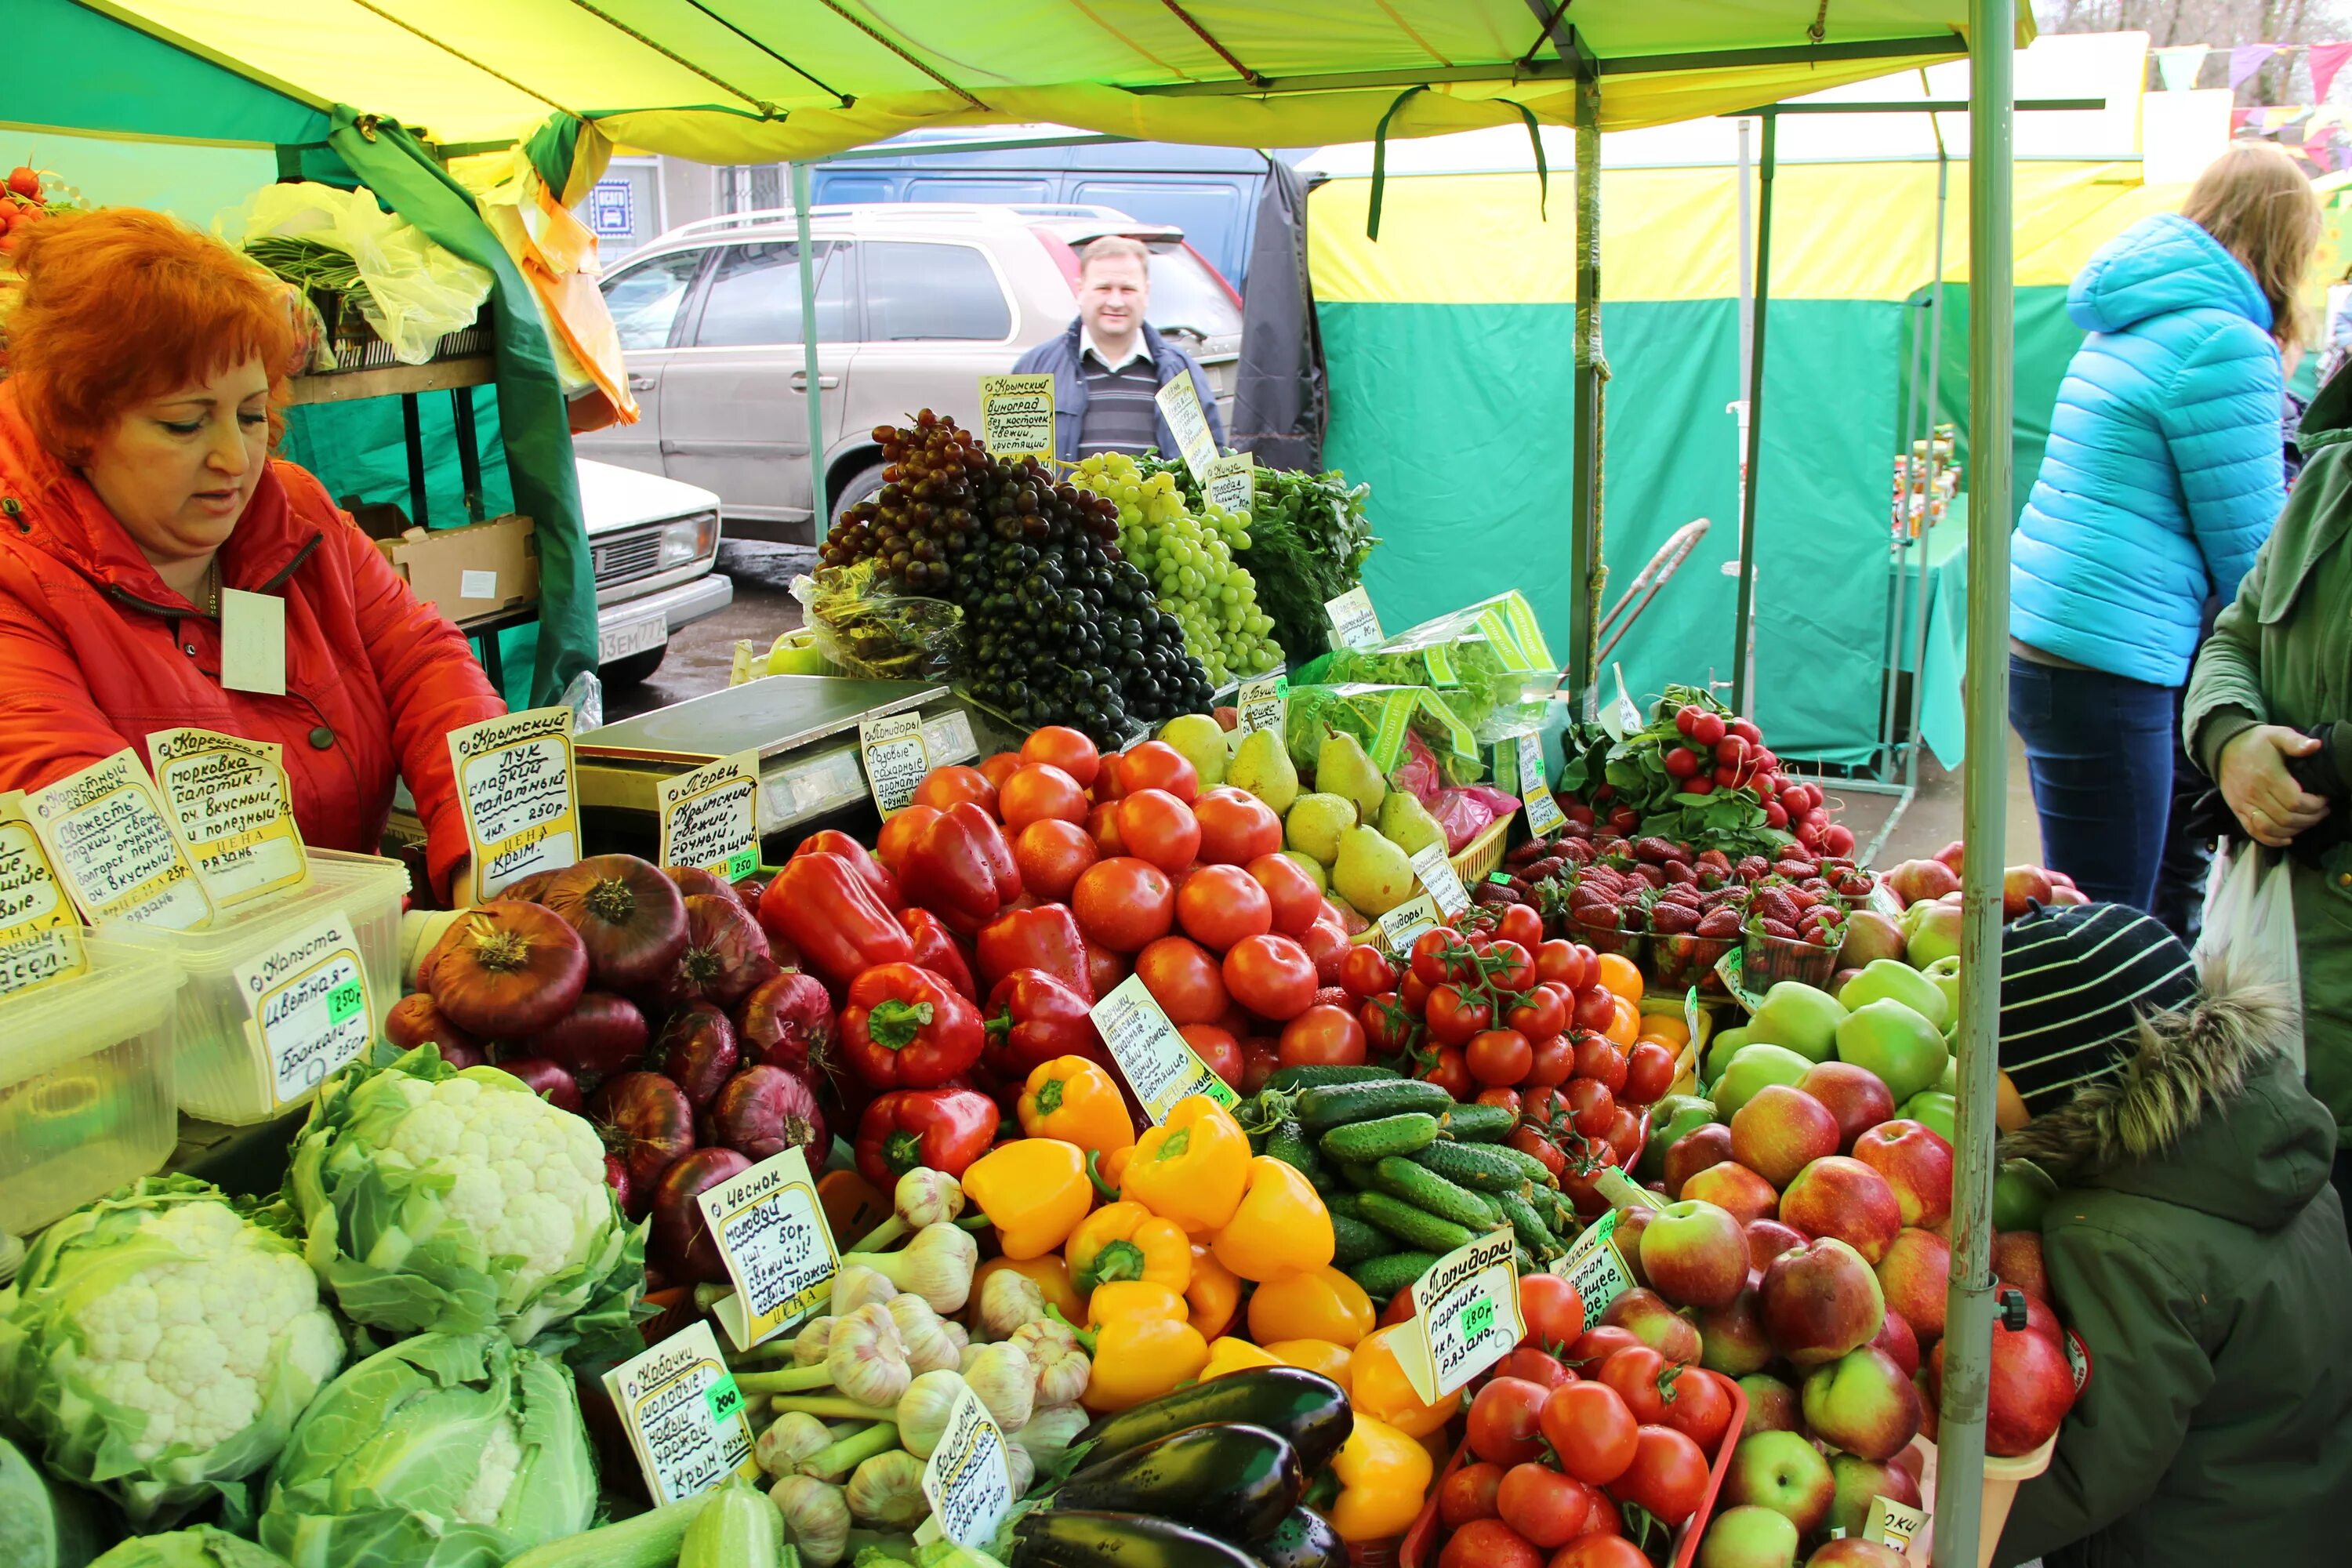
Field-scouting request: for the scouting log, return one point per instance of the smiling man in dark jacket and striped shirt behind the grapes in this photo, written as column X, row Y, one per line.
column 1111, row 363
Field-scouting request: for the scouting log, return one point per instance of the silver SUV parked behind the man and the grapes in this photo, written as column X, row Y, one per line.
column 914, row 304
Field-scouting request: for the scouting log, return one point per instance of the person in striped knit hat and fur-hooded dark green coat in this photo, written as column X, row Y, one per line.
column 2196, row 1249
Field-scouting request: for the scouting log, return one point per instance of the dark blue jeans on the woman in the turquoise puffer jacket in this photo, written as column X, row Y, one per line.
column 2102, row 758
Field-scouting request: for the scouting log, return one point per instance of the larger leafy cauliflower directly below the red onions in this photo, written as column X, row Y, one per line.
column 462, row 1202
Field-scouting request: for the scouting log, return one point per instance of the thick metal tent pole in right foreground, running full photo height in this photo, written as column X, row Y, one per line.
column 1960, row 1463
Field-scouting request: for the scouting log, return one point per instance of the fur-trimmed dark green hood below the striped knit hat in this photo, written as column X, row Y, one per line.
column 2212, row 1113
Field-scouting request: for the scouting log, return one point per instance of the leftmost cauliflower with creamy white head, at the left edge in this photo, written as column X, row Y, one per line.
column 159, row 1346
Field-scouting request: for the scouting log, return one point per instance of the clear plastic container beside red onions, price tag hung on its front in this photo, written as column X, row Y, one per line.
column 225, row 1073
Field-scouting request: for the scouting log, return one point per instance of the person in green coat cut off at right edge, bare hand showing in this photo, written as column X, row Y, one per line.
column 2266, row 718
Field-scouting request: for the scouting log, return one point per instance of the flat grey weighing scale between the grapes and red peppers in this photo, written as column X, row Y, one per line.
column 806, row 730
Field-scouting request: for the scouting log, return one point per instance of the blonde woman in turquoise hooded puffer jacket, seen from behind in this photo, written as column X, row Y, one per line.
column 2160, row 483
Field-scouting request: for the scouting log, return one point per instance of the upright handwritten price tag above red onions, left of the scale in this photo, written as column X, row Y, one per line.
column 514, row 777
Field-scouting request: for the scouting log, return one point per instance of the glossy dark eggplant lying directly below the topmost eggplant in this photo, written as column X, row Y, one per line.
column 1229, row 1480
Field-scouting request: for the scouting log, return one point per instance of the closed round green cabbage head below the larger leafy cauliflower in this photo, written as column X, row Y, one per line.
column 443, row 1452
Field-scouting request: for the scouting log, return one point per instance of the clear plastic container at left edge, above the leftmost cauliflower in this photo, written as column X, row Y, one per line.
column 86, row 1085
